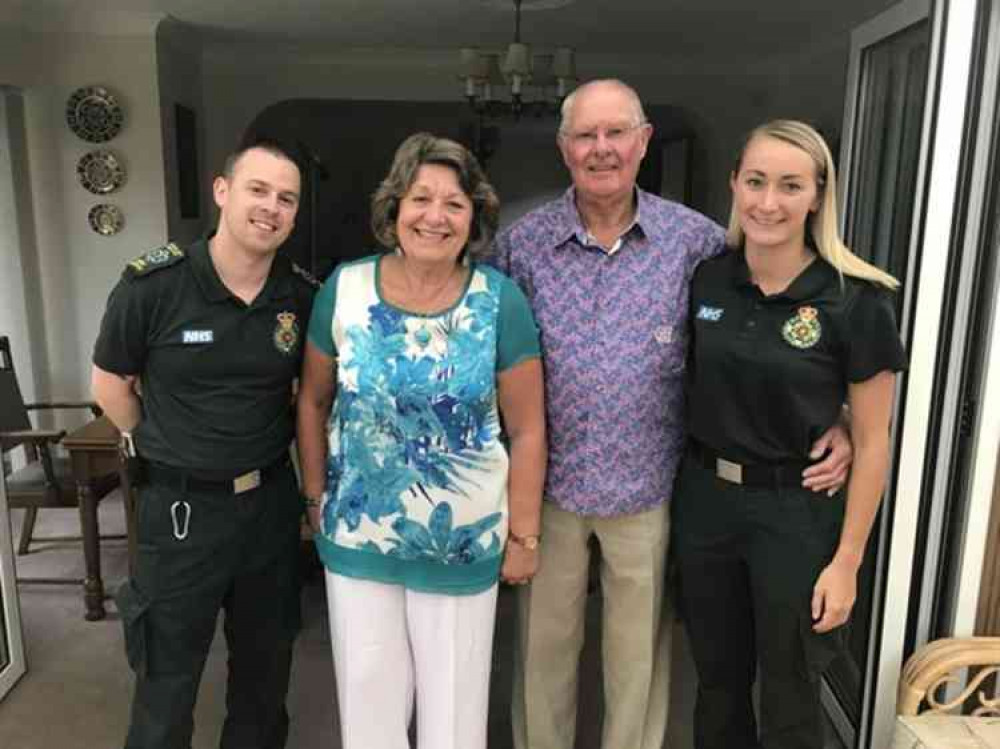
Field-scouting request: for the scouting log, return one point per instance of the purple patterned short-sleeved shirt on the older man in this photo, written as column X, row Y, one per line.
column 614, row 342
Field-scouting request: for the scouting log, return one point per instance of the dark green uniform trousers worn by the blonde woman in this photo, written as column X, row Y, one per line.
column 747, row 560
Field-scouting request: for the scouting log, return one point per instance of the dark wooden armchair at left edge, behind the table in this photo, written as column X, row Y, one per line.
column 46, row 480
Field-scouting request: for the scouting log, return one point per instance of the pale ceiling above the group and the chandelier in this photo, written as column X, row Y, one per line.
column 663, row 28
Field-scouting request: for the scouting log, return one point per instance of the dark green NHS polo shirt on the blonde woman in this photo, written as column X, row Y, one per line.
column 769, row 374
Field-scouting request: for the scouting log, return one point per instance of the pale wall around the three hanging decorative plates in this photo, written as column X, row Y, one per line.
column 75, row 266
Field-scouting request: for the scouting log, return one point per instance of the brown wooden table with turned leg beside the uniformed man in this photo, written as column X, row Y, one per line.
column 93, row 453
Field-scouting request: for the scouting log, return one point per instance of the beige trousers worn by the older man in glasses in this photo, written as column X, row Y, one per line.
column 635, row 632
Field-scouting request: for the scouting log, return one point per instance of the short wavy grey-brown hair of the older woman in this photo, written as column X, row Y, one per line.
column 424, row 148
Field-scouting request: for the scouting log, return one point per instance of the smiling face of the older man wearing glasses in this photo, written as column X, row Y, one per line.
column 604, row 142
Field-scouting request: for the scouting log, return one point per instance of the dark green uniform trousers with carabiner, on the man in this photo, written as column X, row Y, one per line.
column 201, row 551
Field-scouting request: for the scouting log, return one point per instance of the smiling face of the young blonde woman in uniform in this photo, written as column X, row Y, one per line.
column 774, row 193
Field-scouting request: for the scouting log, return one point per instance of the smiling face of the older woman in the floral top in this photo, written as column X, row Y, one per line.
column 435, row 216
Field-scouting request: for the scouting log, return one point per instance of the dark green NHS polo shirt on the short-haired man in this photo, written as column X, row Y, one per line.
column 216, row 373
